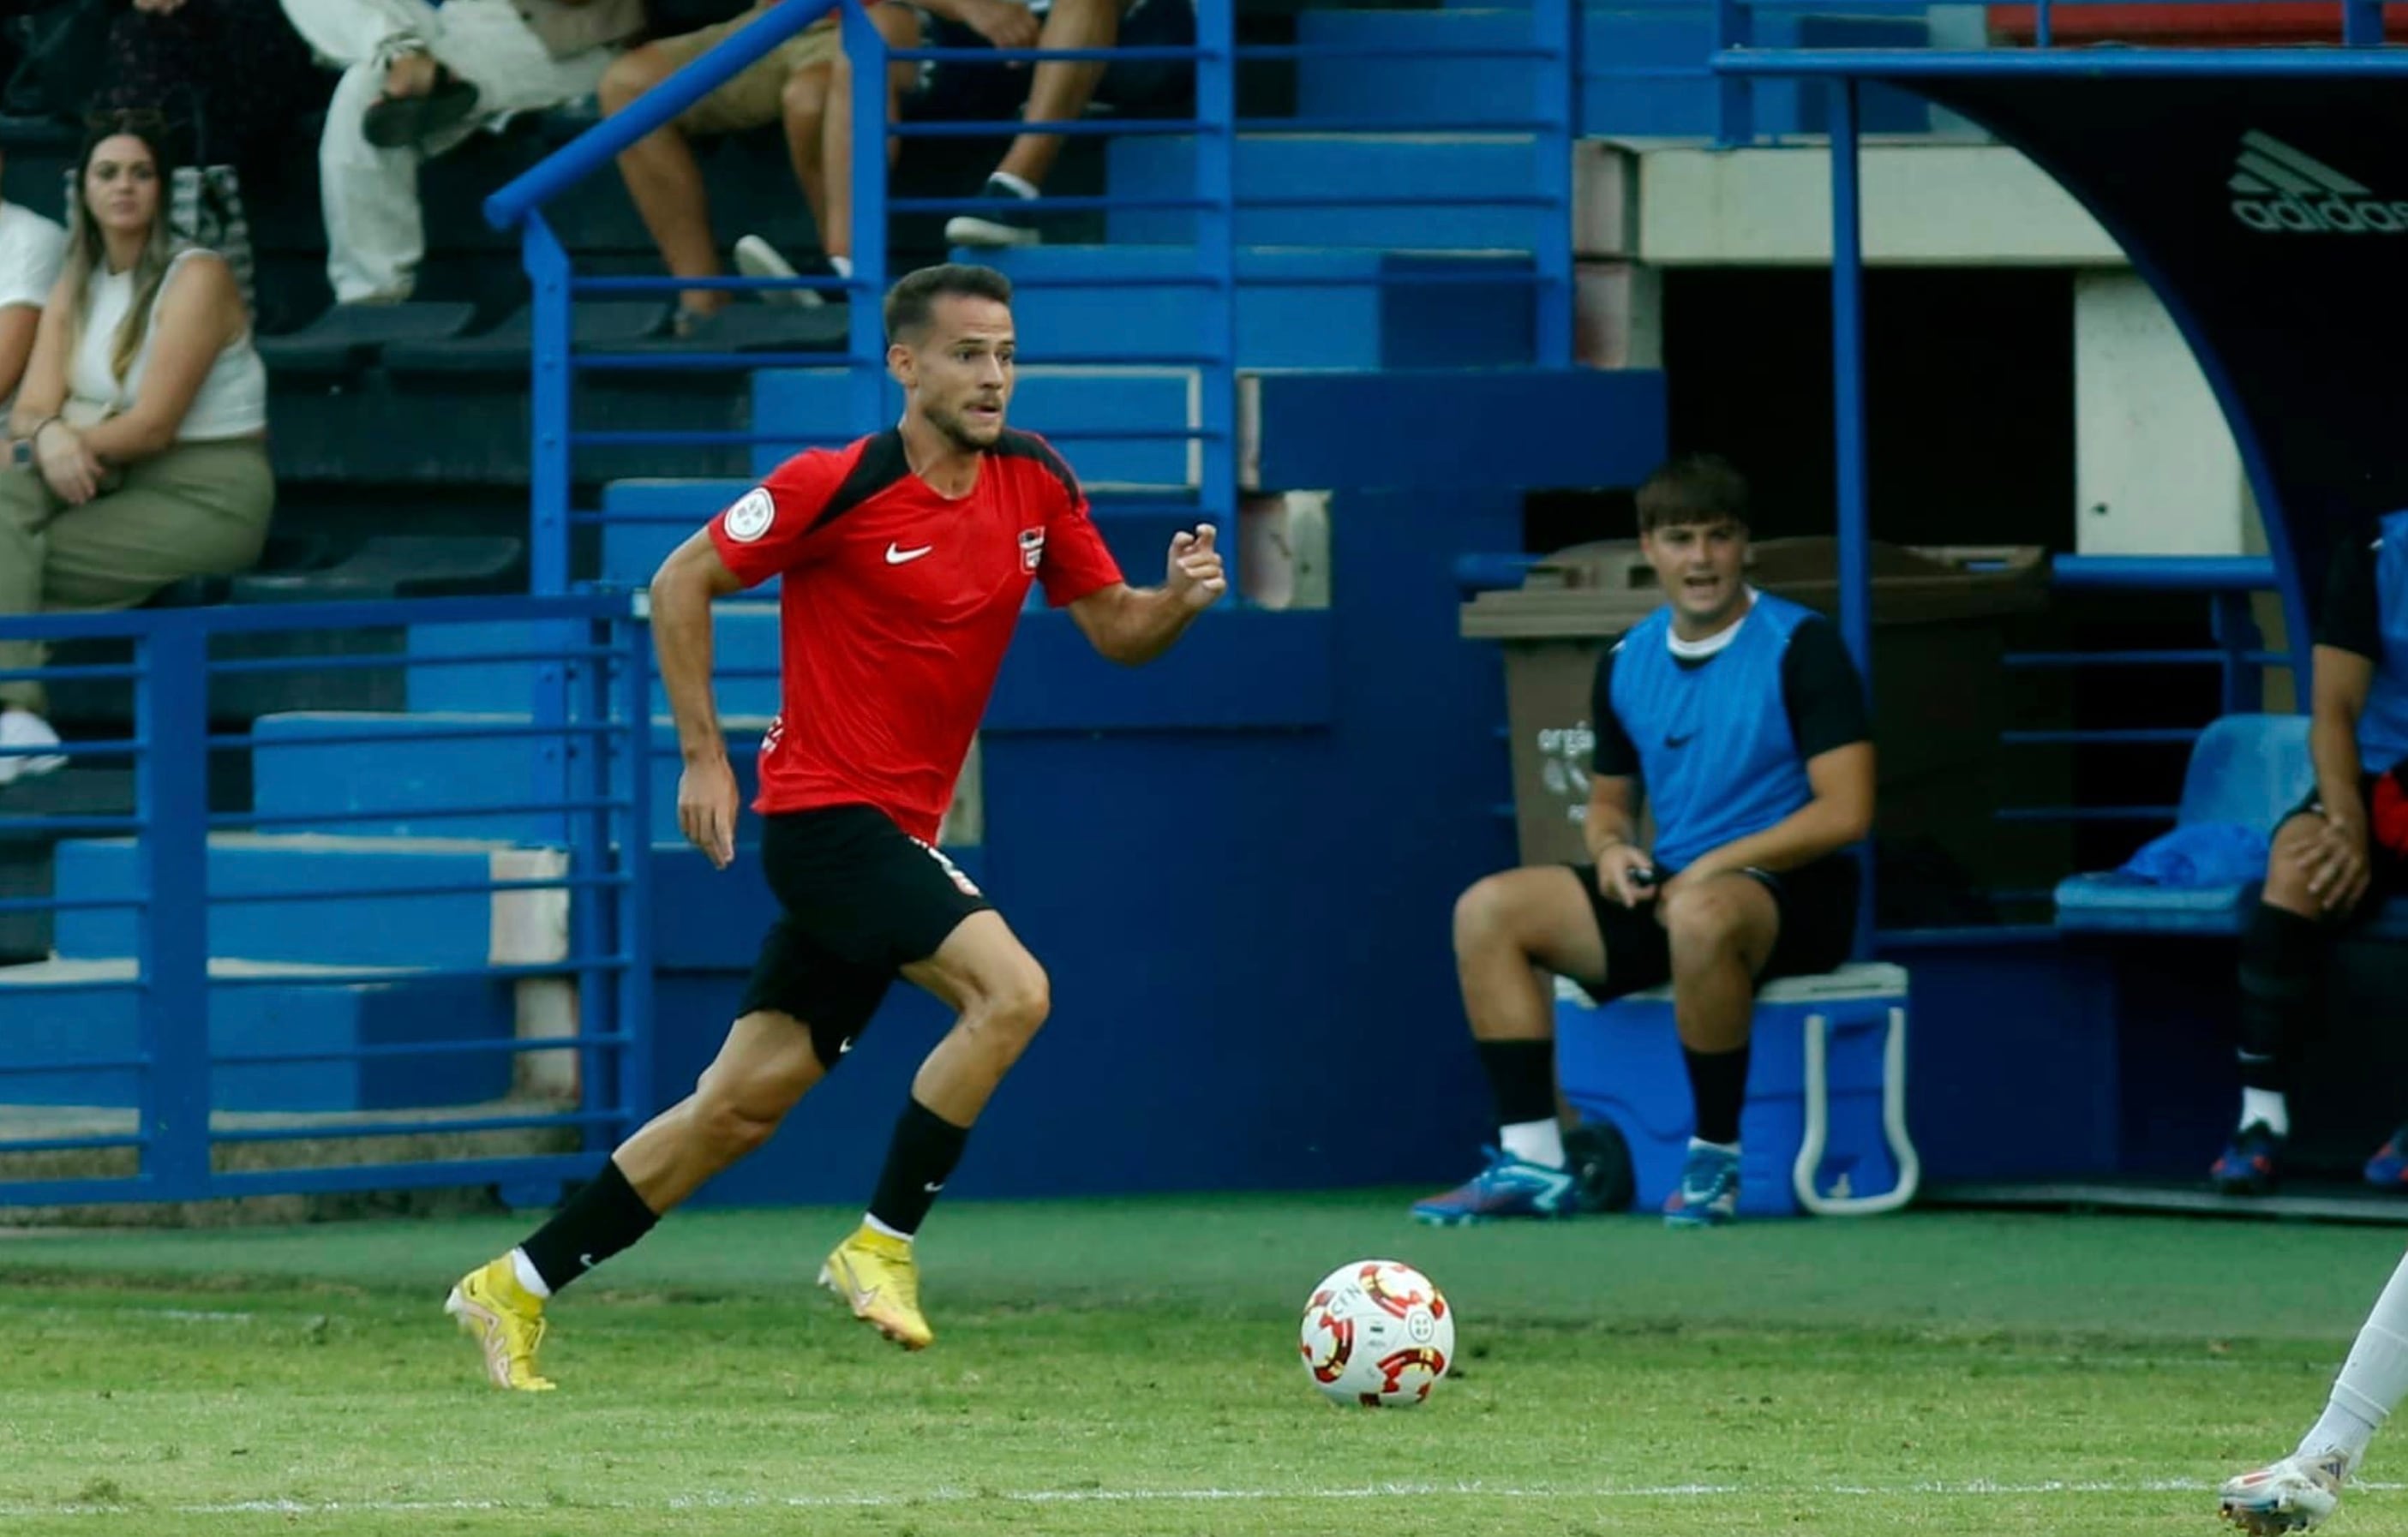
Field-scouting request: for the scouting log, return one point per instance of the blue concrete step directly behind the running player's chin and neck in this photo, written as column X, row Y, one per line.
column 1056, row 401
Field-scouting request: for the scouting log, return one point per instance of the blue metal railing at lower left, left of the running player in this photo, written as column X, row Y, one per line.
column 160, row 1088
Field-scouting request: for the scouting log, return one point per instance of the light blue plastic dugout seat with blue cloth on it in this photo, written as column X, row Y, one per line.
column 2245, row 770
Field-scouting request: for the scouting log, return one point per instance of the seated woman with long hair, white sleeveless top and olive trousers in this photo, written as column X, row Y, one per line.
column 138, row 444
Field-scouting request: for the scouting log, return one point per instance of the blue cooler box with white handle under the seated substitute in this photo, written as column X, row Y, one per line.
column 1824, row 1129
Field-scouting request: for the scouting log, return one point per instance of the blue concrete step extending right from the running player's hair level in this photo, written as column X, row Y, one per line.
column 1297, row 310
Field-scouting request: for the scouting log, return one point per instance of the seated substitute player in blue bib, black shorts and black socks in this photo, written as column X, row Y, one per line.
column 1742, row 722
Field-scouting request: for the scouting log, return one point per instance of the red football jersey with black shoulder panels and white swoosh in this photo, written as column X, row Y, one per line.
column 897, row 608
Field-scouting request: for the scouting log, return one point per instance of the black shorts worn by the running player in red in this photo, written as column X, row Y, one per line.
column 861, row 900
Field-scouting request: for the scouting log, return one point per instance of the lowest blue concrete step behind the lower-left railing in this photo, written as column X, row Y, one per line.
column 54, row 1018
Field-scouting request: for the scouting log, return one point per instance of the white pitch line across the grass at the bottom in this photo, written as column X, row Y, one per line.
column 1169, row 1497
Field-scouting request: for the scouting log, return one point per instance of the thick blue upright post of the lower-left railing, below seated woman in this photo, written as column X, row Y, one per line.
column 175, row 989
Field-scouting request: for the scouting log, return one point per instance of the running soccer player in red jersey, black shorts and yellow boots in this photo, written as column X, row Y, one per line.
column 907, row 563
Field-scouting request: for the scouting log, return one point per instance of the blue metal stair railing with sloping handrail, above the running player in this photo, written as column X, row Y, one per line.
column 1215, row 204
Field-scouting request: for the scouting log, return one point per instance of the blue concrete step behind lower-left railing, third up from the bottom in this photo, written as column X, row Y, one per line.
column 403, row 787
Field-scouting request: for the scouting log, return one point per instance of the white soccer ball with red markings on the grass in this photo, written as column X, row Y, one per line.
column 1376, row 1333
